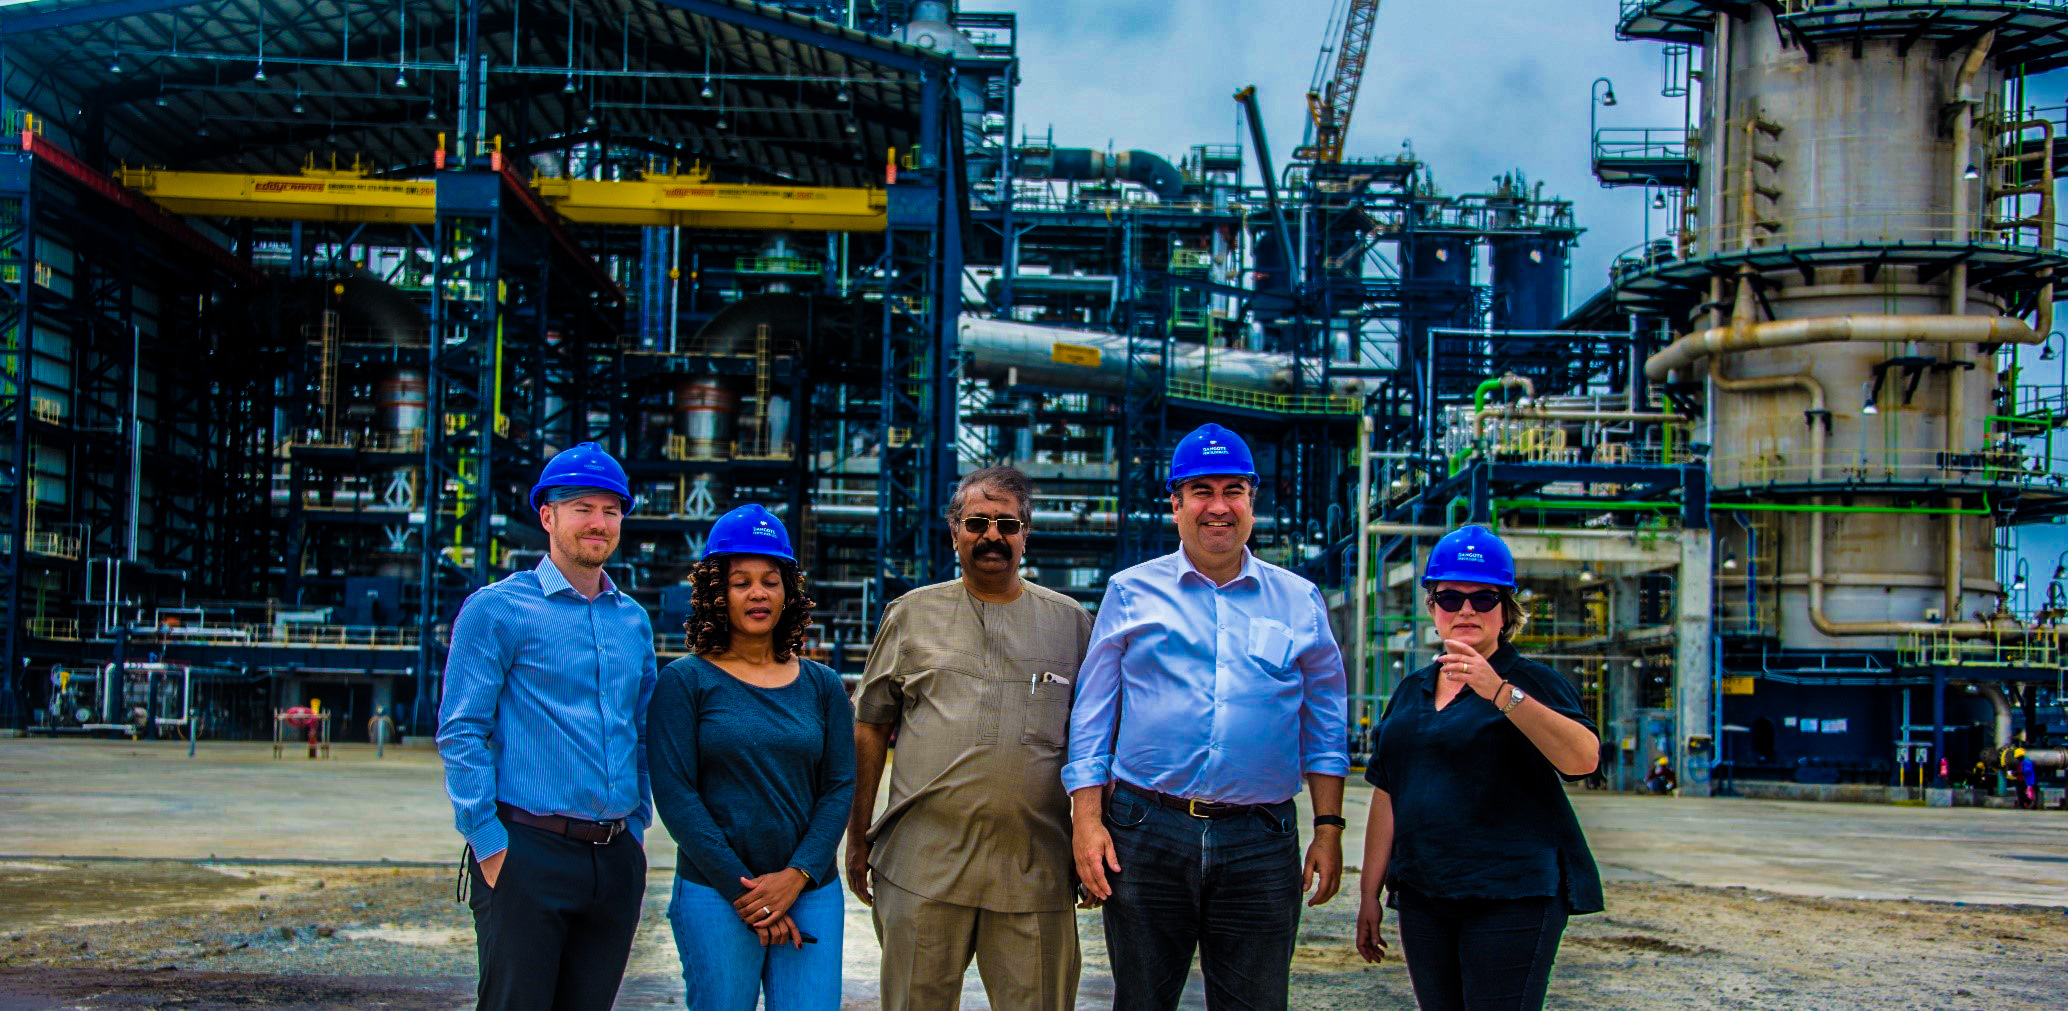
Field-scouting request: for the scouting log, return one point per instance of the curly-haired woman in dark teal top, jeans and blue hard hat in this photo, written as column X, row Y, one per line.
column 752, row 752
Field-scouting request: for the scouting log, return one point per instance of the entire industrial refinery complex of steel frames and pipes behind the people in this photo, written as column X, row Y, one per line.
column 301, row 297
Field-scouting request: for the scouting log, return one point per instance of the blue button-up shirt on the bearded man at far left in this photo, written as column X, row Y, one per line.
column 545, row 706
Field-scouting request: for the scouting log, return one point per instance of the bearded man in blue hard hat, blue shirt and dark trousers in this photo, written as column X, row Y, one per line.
column 543, row 733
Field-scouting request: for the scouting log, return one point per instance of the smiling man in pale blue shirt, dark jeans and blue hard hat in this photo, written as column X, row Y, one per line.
column 1211, row 690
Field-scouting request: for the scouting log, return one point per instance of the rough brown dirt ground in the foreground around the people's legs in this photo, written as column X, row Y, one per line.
column 193, row 936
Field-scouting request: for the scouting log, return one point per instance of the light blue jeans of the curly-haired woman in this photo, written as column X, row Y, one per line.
column 725, row 967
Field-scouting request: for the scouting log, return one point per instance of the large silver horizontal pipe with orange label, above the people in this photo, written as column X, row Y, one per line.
column 1097, row 363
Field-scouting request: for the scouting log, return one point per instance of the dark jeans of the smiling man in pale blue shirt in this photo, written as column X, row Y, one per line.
column 1223, row 888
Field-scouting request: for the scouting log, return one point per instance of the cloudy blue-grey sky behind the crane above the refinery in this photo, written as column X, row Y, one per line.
column 1480, row 88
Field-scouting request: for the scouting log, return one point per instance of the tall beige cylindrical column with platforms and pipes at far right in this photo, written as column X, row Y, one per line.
column 1860, row 253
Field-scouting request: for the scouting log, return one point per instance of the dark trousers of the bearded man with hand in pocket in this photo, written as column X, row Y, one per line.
column 559, row 925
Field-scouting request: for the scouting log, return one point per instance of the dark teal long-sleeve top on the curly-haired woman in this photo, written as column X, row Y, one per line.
column 752, row 780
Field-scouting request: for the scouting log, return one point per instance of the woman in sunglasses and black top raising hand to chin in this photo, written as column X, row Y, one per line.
column 1469, row 820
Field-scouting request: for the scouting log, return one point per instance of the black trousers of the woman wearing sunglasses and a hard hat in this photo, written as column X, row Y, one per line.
column 1480, row 954
